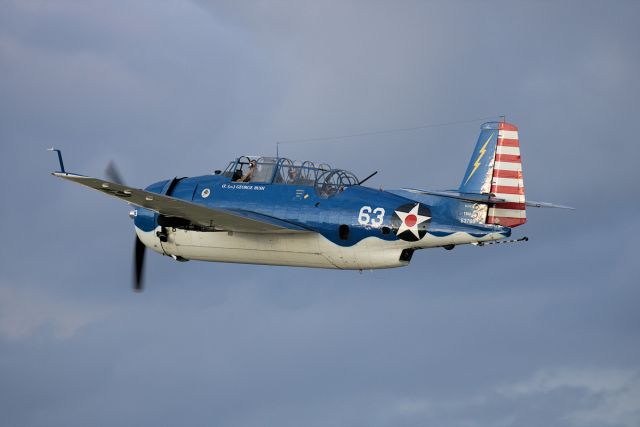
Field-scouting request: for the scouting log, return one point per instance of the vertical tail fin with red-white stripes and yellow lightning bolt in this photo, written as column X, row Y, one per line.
column 496, row 168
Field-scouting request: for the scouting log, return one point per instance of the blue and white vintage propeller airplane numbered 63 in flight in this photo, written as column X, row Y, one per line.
column 274, row 211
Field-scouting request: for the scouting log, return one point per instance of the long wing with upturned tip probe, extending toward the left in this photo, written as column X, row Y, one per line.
column 222, row 219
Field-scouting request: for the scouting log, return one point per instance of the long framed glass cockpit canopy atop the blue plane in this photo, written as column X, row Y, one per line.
column 279, row 170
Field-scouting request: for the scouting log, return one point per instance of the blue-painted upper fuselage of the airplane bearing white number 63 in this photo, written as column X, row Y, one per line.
column 306, row 207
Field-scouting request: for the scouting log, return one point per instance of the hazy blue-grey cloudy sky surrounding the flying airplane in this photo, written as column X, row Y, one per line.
column 539, row 333
